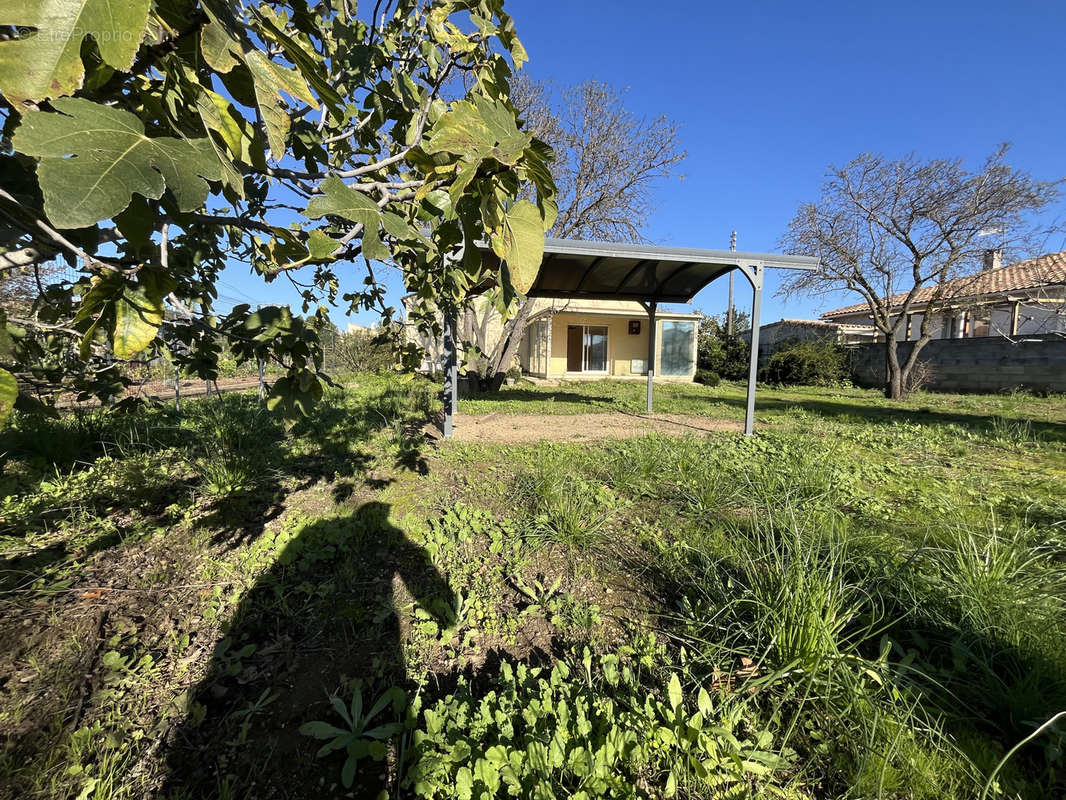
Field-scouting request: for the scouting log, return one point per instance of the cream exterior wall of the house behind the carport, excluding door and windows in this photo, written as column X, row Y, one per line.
column 550, row 335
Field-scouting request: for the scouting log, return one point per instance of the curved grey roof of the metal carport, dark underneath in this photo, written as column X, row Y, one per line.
column 642, row 273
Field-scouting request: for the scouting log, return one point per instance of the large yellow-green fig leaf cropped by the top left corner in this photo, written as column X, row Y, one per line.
column 49, row 63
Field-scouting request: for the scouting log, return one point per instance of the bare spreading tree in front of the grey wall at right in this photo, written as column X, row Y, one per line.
column 887, row 230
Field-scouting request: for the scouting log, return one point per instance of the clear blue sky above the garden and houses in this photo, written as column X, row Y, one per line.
column 768, row 94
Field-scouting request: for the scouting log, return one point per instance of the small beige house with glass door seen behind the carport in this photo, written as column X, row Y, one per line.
column 591, row 340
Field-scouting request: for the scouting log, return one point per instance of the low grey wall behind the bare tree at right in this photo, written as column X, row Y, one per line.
column 988, row 364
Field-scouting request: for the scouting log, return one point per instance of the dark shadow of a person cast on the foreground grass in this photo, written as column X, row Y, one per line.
column 325, row 616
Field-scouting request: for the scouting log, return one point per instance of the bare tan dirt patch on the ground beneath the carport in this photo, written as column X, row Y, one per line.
column 518, row 429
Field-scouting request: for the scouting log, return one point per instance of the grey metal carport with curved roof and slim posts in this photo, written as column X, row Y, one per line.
column 649, row 275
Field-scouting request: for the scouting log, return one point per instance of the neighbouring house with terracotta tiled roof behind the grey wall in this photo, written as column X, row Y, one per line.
column 1023, row 299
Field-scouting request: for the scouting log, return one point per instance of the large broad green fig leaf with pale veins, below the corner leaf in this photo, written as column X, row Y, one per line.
column 112, row 158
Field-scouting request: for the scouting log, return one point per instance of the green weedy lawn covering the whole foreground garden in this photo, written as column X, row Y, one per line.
column 865, row 600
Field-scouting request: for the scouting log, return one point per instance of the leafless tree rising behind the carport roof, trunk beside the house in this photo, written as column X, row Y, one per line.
column 608, row 163
